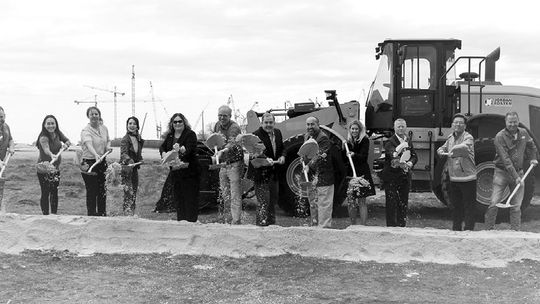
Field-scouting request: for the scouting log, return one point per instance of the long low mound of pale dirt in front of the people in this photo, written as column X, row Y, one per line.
column 89, row 235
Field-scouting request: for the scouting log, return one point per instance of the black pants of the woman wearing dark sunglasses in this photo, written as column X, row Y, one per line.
column 186, row 196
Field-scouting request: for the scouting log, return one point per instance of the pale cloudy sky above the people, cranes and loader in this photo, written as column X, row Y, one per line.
column 199, row 53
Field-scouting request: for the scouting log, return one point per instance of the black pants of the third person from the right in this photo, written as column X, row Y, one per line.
column 397, row 200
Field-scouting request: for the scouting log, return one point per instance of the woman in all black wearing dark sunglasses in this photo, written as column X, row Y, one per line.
column 185, row 170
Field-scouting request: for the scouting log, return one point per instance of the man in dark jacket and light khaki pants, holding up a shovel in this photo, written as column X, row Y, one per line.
column 325, row 165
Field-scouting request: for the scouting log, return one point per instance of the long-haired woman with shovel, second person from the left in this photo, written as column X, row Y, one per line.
column 49, row 143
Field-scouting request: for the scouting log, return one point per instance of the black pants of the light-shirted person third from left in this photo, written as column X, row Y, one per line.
column 96, row 192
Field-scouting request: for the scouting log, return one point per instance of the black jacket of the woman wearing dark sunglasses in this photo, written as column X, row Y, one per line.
column 188, row 139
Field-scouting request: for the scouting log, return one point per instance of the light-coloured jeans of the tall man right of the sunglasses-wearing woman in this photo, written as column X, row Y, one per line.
column 231, row 192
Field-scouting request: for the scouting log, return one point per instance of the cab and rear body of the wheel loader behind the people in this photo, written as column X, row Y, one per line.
column 416, row 81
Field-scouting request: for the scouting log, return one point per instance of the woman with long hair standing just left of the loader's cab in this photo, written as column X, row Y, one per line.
column 357, row 148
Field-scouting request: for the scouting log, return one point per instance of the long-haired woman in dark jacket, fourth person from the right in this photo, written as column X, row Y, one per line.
column 358, row 144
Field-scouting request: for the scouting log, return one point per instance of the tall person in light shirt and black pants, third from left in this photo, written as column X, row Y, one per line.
column 95, row 144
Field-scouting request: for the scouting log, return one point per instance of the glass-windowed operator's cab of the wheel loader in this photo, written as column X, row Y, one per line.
column 410, row 84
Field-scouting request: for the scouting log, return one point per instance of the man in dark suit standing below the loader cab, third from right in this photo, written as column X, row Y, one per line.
column 396, row 174
